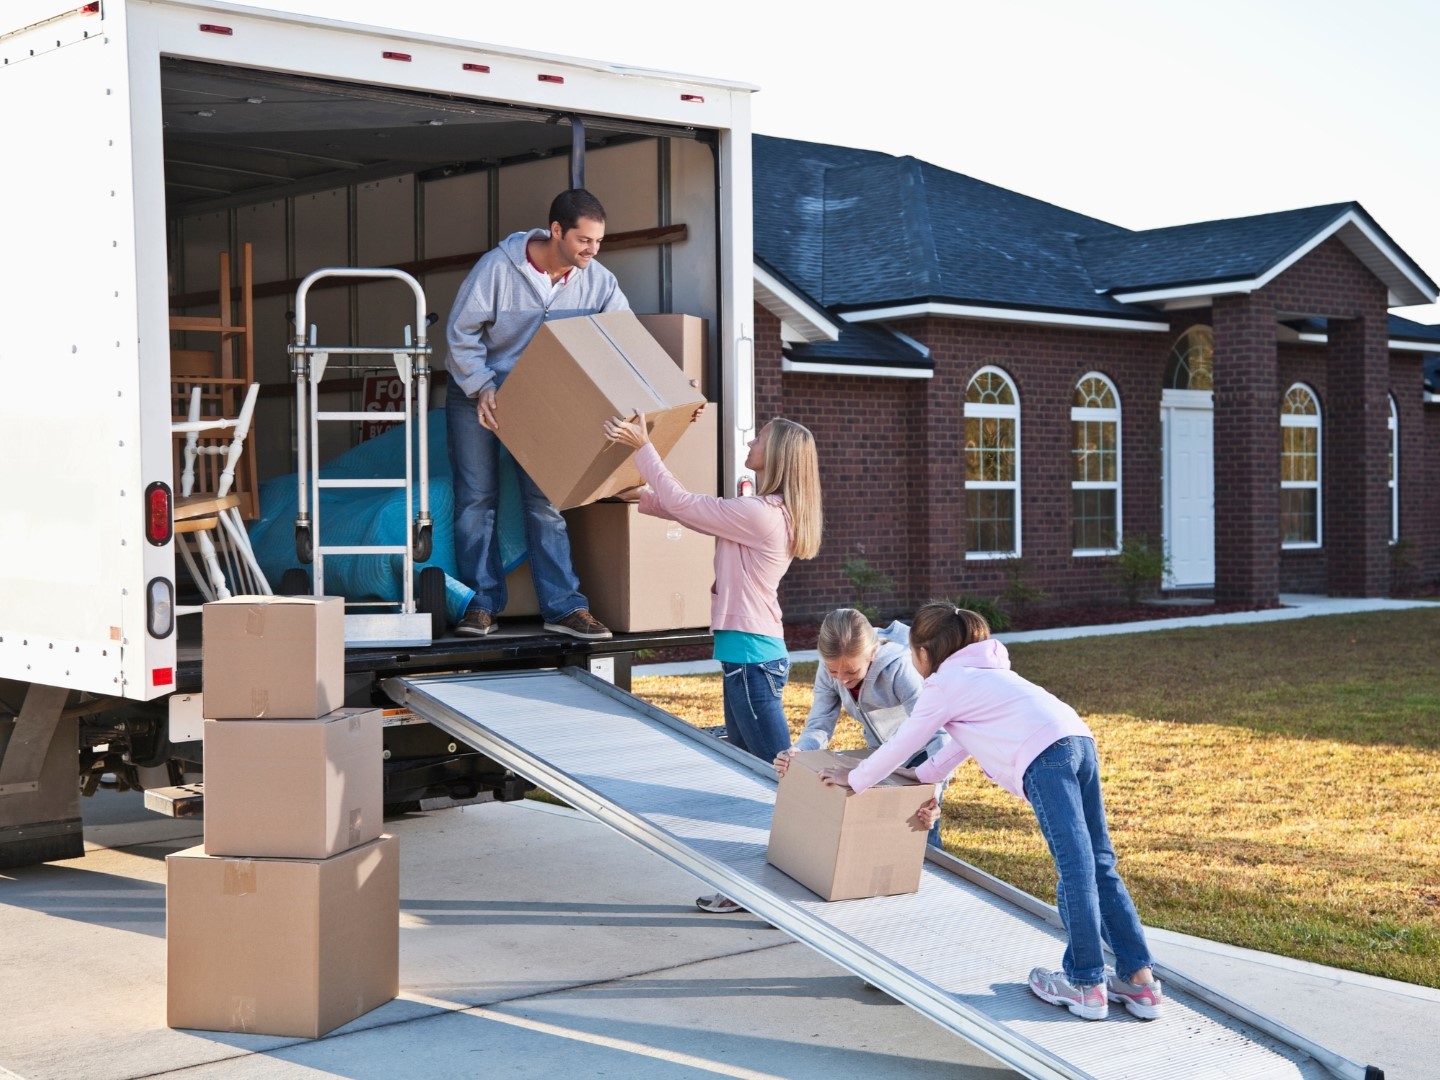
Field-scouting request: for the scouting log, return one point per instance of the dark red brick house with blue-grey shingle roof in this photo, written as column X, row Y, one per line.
column 993, row 378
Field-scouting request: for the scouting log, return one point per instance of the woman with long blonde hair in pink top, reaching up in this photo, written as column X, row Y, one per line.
column 757, row 538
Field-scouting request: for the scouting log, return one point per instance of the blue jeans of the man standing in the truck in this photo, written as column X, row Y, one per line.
column 476, row 477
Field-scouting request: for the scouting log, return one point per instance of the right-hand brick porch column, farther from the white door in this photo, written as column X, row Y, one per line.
column 1356, row 457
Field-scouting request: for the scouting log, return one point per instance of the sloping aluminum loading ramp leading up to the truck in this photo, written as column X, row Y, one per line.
column 957, row 951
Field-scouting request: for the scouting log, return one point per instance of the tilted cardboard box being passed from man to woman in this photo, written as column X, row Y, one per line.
column 575, row 375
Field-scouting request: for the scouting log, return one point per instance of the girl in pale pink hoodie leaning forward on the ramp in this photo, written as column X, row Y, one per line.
column 1035, row 747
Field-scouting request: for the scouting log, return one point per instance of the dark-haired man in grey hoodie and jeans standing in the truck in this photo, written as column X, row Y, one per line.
column 529, row 279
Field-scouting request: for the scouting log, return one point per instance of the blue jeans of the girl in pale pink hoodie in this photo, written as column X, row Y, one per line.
column 1063, row 787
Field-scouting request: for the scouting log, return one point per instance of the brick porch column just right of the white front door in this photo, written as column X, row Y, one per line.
column 1248, row 453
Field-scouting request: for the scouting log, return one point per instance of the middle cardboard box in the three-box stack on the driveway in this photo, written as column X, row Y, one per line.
column 294, row 788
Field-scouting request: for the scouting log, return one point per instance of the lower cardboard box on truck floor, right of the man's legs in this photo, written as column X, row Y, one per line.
column 639, row 572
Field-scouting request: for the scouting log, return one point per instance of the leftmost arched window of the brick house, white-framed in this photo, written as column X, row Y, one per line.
column 991, row 466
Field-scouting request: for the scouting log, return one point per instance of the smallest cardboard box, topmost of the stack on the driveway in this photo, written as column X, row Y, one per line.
column 274, row 657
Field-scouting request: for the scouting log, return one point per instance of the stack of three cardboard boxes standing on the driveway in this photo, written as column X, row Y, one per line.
column 286, row 921
